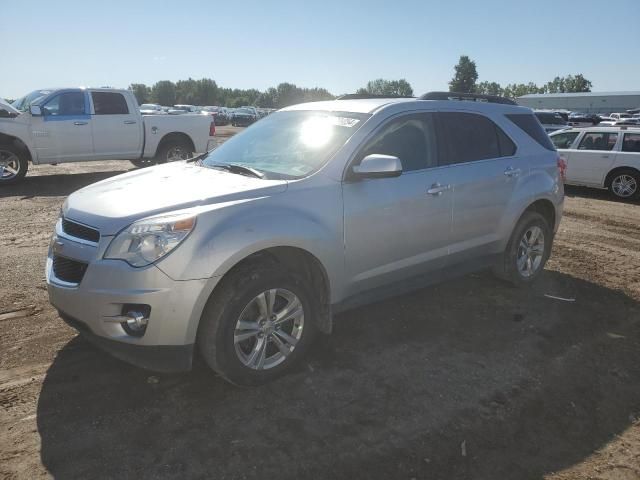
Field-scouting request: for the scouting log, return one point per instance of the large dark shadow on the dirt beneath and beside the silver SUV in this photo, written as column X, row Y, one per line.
column 468, row 379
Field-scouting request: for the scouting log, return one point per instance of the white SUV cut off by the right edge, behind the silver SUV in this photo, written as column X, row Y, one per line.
column 602, row 157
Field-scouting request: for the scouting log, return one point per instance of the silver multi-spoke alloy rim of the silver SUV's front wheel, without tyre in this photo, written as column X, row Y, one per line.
column 268, row 329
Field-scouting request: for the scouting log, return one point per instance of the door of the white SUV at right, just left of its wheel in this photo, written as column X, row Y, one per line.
column 593, row 158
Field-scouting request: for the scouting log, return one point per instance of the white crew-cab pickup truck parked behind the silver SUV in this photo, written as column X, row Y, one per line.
column 80, row 124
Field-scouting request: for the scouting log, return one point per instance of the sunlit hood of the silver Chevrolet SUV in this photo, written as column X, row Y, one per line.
column 114, row 203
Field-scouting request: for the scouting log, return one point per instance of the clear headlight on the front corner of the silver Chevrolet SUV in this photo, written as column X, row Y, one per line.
column 146, row 241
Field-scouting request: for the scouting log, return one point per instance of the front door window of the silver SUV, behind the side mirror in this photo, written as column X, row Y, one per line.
column 411, row 138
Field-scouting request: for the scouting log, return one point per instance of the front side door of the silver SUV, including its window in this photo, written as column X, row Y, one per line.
column 394, row 228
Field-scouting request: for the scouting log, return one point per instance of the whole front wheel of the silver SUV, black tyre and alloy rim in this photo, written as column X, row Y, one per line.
column 257, row 325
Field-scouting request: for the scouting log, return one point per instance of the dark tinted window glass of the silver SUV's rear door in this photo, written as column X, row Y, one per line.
column 468, row 137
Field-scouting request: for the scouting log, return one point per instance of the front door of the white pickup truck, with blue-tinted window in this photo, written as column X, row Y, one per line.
column 63, row 132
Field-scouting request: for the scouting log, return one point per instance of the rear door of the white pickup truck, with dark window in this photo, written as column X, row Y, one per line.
column 117, row 126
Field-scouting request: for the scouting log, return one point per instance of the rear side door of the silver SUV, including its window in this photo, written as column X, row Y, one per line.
column 484, row 172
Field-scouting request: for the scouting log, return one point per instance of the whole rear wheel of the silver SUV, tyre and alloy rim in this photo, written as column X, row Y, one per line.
column 527, row 251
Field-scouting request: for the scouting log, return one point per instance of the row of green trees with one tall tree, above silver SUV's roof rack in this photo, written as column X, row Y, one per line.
column 466, row 76
